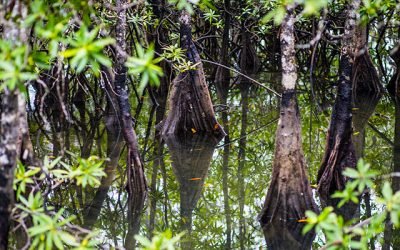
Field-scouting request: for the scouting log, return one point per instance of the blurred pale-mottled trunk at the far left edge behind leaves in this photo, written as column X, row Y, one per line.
column 15, row 142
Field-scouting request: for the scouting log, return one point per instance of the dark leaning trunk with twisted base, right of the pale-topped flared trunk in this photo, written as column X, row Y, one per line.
column 339, row 151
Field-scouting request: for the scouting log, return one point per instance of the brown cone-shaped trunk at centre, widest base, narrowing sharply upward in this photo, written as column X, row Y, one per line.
column 190, row 107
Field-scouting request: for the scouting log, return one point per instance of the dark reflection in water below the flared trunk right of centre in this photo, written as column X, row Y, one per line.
column 284, row 236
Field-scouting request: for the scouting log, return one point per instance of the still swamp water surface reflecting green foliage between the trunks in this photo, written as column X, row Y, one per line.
column 196, row 184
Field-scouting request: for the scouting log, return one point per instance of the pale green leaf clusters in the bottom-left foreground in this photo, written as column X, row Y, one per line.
column 50, row 229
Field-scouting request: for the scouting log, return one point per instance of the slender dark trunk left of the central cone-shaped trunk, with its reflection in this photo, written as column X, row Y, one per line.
column 136, row 186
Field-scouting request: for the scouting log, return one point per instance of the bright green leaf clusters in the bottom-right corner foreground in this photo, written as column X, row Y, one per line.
column 342, row 235
